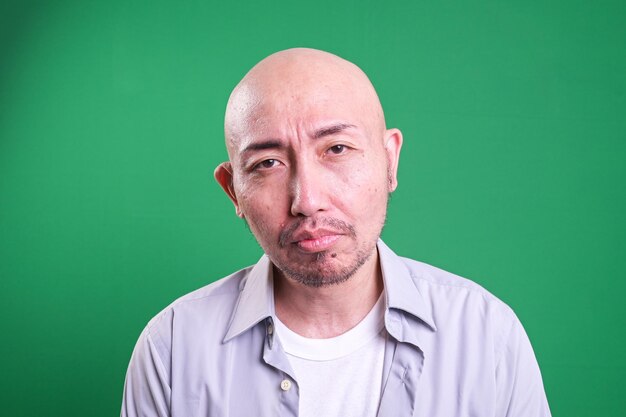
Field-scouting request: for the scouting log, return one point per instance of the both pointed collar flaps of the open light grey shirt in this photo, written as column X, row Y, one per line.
column 256, row 298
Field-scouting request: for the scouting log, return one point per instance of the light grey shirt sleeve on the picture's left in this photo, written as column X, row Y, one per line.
column 147, row 391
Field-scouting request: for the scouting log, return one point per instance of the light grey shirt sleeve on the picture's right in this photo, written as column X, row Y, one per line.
column 520, row 391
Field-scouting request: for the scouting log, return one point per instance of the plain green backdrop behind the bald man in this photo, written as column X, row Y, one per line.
column 512, row 172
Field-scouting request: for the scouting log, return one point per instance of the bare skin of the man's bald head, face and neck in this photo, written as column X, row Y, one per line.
column 311, row 165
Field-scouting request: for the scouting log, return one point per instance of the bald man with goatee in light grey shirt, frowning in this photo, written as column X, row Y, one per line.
column 330, row 322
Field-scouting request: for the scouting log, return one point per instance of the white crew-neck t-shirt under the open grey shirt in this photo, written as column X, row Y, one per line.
column 340, row 376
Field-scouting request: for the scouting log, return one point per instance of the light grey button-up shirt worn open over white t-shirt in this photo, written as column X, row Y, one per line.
column 453, row 350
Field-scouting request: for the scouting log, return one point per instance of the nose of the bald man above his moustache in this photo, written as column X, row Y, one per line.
column 308, row 191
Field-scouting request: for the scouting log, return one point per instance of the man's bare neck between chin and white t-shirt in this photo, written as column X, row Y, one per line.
column 328, row 311
